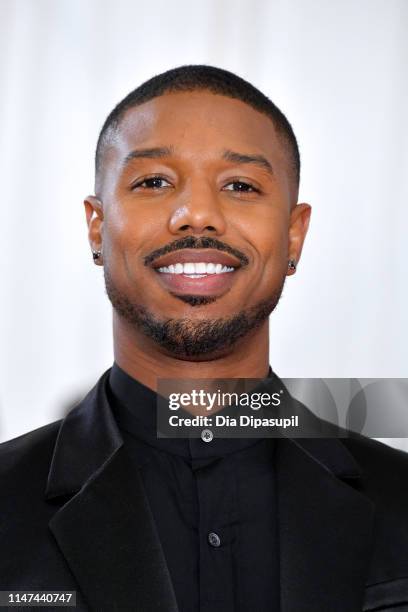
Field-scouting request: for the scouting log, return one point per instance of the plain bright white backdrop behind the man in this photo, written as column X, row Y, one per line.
column 338, row 70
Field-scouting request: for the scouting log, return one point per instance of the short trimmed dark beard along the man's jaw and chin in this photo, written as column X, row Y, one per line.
column 187, row 338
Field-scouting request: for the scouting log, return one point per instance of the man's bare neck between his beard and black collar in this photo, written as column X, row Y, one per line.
column 142, row 359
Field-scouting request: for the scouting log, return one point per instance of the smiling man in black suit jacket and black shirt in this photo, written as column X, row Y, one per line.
column 196, row 223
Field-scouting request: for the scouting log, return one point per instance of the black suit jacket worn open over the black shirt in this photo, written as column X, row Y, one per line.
column 74, row 516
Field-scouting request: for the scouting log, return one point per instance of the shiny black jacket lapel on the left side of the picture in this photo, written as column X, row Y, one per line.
column 106, row 531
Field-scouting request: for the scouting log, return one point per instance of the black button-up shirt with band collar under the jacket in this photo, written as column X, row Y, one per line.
column 214, row 506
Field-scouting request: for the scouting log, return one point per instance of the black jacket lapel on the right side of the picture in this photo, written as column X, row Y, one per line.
column 325, row 527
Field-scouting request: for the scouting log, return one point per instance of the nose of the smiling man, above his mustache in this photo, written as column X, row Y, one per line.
column 198, row 211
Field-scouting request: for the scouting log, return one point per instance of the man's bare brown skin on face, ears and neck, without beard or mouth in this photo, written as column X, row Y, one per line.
column 199, row 197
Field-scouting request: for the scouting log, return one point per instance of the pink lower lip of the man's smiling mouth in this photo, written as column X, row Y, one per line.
column 212, row 284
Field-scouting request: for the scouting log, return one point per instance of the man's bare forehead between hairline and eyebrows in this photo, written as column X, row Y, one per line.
column 196, row 123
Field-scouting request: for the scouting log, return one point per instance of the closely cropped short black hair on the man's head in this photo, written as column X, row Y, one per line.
column 207, row 78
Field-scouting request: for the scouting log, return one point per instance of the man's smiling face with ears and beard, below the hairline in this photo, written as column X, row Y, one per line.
column 189, row 170
